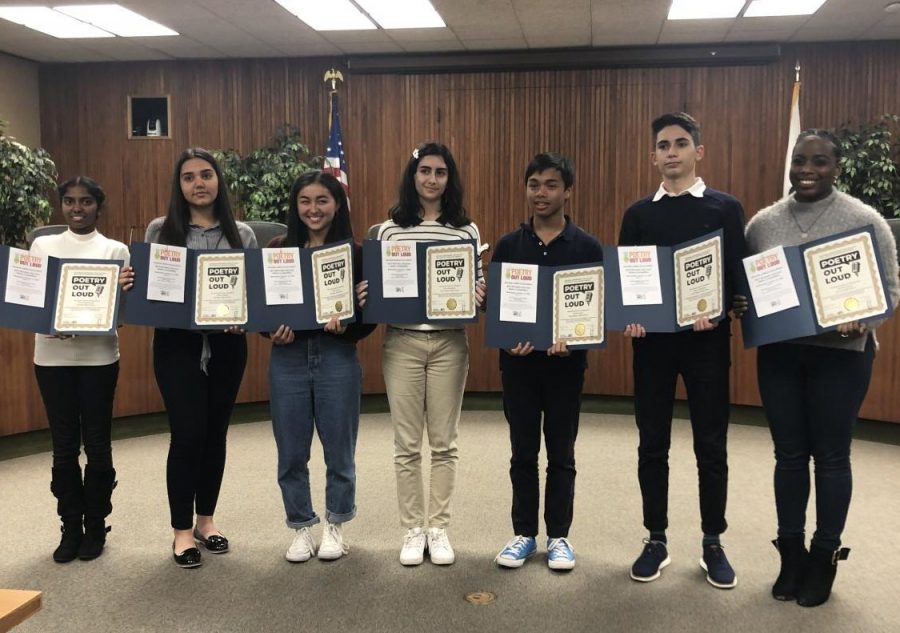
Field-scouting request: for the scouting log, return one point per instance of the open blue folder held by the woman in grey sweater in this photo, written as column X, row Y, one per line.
column 800, row 320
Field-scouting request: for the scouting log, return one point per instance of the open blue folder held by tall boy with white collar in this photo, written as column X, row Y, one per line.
column 659, row 317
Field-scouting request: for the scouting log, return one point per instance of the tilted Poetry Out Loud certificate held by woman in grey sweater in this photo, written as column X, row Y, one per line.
column 844, row 280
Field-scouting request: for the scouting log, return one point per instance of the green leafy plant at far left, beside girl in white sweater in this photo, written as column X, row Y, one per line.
column 26, row 177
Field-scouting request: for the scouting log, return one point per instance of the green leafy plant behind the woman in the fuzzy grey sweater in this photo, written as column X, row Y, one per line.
column 869, row 166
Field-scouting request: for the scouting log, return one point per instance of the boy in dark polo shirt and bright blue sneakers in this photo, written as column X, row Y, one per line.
column 544, row 383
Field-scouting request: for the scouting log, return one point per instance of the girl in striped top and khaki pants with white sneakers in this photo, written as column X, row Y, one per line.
column 425, row 364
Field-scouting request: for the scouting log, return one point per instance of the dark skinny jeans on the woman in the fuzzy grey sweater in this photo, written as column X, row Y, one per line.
column 812, row 397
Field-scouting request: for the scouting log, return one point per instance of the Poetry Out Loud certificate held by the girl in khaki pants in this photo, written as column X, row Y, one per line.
column 450, row 282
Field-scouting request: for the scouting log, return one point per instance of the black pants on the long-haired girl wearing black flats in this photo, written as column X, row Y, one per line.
column 199, row 406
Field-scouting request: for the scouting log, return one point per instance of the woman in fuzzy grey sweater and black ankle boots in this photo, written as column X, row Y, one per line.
column 812, row 388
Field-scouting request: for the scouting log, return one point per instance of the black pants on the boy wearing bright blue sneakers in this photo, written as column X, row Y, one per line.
column 531, row 394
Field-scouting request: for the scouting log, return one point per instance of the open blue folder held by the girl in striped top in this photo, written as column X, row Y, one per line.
column 379, row 309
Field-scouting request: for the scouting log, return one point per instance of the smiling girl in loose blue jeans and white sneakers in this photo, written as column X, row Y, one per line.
column 315, row 382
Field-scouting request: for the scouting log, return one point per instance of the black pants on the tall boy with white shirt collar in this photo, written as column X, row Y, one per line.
column 703, row 360
